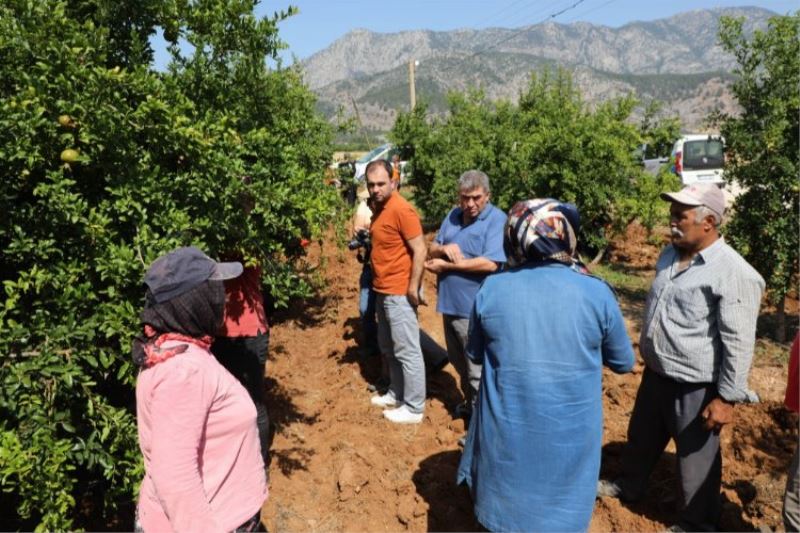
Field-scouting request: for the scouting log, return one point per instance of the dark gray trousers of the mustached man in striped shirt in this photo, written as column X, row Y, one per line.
column 667, row 409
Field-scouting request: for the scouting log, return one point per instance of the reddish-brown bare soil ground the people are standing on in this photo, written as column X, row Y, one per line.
column 339, row 466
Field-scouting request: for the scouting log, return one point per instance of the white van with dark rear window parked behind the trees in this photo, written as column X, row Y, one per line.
column 699, row 158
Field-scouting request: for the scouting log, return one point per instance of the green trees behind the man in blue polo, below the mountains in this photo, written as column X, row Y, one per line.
column 550, row 144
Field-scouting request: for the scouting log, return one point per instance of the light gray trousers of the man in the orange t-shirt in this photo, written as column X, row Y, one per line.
column 398, row 338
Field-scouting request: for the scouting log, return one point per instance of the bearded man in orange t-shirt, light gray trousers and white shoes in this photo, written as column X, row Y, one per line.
column 398, row 257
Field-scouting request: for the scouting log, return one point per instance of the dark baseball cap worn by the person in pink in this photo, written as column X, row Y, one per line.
column 184, row 269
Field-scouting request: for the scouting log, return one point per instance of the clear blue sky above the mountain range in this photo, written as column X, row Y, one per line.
column 320, row 22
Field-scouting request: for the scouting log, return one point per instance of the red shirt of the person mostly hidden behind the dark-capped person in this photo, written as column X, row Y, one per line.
column 244, row 306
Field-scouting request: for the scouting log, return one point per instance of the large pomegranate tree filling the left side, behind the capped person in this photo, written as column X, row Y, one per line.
column 165, row 160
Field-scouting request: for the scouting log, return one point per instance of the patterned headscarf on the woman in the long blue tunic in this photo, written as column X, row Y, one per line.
column 541, row 229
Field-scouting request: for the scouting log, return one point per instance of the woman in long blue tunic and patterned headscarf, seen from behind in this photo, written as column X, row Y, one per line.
column 542, row 329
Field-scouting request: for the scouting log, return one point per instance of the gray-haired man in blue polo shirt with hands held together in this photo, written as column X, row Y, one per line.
column 468, row 248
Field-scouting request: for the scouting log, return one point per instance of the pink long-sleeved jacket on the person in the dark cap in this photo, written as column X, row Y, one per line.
column 197, row 432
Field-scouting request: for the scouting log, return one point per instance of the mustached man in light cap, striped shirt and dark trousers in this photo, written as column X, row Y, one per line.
column 697, row 344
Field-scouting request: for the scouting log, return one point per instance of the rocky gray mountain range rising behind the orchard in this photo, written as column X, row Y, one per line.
column 676, row 60
